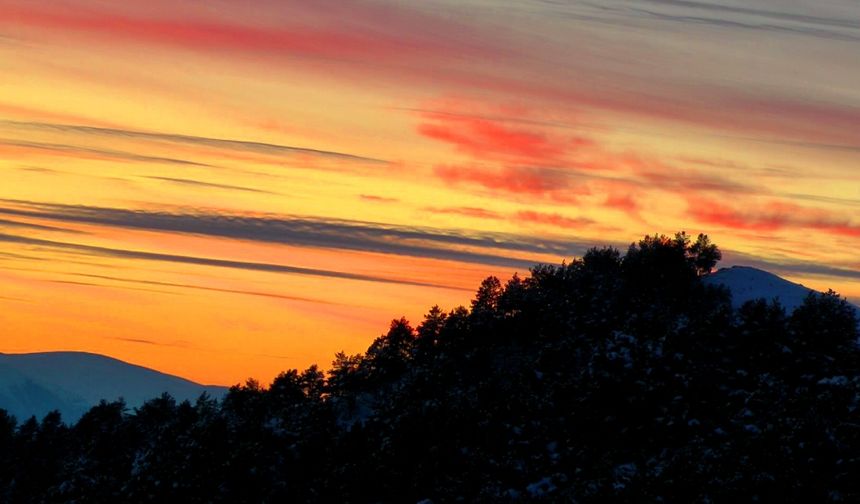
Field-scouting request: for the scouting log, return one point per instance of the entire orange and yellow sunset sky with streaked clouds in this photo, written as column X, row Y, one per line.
column 226, row 189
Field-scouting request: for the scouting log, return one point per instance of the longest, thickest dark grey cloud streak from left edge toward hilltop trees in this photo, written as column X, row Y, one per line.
column 312, row 232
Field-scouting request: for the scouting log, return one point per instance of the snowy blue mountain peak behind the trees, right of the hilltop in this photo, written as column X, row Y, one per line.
column 746, row 283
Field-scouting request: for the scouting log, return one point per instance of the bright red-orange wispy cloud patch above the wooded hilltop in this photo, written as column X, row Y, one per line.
column 529, row 162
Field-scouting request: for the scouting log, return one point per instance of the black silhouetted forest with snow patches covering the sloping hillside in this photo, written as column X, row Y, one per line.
column 612, row 378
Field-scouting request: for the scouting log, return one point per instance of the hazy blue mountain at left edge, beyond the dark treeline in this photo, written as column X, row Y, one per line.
column 73, row 382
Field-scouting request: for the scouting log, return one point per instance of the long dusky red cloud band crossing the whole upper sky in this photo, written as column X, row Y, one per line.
column 378, row 33
